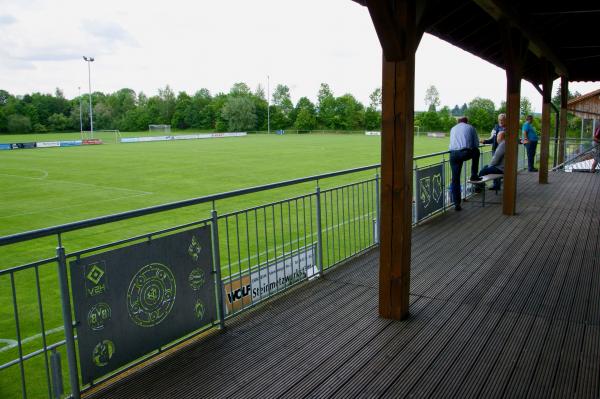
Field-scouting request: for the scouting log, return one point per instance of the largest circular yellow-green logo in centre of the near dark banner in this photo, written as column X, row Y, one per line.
column 151, row 295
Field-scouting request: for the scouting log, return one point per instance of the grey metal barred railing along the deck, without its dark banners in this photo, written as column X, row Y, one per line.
column 318, row 230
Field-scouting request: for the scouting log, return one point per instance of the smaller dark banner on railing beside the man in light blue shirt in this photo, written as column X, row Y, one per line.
column 430, row 190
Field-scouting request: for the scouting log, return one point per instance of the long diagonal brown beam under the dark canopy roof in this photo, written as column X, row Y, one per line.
column 499, row 10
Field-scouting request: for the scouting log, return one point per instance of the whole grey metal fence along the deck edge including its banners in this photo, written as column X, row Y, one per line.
column 125, row 301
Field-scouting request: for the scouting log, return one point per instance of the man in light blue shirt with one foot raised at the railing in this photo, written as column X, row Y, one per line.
column 464, row 145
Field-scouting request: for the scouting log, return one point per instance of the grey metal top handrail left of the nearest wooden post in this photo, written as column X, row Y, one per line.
column 29, row 235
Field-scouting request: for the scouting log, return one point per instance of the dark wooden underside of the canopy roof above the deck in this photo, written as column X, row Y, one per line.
column 564, row 33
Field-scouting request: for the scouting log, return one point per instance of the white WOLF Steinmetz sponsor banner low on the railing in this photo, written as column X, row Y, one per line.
column 268, row 278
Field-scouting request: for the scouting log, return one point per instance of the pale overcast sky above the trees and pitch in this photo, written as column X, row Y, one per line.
column 144, row 45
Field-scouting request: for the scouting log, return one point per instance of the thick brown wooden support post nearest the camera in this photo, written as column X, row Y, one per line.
column 395, row 24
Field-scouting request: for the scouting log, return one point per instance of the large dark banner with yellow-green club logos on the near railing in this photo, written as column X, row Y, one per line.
column 133, row 300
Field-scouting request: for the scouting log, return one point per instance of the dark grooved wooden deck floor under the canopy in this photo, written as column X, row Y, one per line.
column 500, row 307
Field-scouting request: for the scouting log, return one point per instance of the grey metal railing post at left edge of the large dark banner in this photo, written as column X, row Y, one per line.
column 67, row 319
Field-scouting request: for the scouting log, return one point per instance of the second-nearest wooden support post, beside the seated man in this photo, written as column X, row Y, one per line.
column 514, row 47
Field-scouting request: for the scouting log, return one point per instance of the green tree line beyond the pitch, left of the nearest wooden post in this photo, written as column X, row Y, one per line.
column 239, row 110
